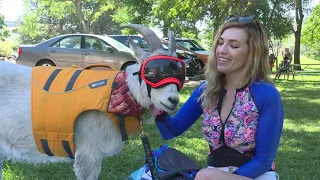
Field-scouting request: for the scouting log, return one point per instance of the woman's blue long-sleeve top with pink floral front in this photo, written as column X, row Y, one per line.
column 255, row 123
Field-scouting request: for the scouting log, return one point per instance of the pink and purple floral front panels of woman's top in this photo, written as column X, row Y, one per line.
column 240, row 126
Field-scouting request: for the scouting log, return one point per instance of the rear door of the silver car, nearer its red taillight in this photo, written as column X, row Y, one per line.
column 67, row 51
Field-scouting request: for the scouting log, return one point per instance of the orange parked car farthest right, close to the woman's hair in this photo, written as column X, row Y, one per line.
column 192, row 45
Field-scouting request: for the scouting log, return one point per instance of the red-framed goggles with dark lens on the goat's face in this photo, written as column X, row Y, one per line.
column 158, row 71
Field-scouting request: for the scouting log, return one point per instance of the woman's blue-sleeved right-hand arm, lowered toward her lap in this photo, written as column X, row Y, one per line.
column 269, row 130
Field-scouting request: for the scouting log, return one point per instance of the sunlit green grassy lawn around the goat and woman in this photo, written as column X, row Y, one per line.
column 297, row 158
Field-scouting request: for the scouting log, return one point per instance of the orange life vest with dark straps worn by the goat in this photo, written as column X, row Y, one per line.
column 60, row 95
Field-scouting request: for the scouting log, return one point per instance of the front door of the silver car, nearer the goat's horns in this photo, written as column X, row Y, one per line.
column 97, row 51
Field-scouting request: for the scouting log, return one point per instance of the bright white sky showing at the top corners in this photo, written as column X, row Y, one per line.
column 12, row 9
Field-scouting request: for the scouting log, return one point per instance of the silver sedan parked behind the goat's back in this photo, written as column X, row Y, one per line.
column 76, row 49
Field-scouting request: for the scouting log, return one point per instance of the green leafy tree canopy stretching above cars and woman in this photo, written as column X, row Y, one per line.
column 197, row 19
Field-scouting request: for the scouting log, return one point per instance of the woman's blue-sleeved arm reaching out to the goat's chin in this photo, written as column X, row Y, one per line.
column 190, row 111
